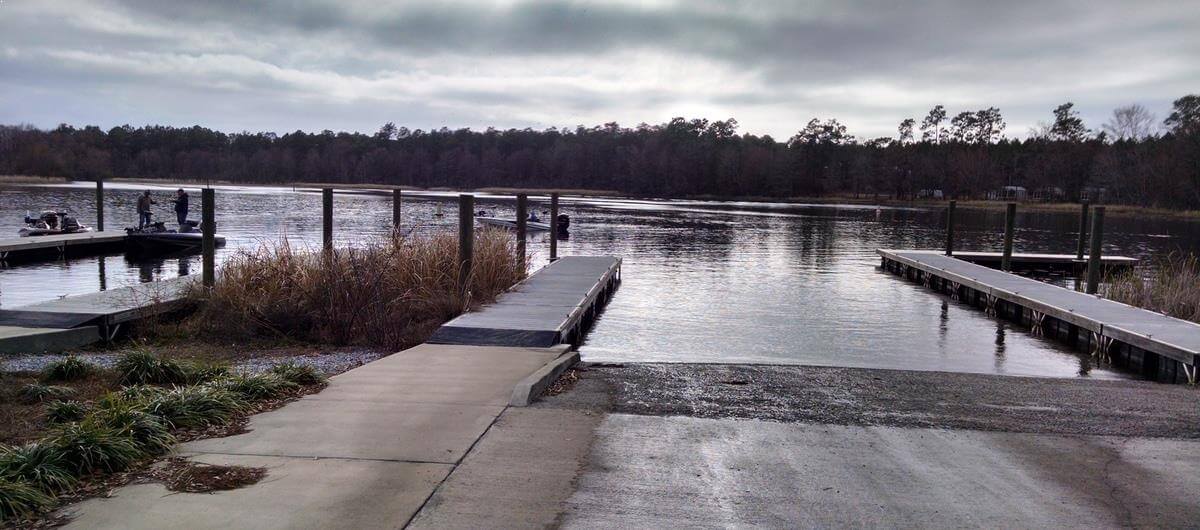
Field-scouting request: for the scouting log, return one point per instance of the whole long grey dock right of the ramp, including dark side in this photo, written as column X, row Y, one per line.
column 1160, row 347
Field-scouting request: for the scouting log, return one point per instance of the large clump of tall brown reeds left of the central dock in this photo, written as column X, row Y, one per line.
column 393, row 292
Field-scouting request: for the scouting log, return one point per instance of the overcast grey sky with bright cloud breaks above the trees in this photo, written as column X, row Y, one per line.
column 283, row 65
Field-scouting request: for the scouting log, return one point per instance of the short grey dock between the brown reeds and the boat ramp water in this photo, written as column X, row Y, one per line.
column 554, row 306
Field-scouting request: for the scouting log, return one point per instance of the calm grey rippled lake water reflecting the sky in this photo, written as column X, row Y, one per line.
column 704, row 282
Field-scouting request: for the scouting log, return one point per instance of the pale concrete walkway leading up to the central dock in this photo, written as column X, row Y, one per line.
column 369, row 451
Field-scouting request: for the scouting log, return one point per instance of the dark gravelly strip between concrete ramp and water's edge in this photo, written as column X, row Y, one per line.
column 885, row 397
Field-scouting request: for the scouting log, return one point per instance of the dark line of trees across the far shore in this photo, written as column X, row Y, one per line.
column 1133, row 159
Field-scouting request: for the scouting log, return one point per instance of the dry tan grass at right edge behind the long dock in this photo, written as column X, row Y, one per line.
column 1171, row 287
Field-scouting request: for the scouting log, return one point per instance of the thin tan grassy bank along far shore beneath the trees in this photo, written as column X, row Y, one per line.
column 1118, row 210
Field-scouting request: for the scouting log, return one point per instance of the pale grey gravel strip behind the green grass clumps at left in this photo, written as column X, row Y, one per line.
column 331, row 364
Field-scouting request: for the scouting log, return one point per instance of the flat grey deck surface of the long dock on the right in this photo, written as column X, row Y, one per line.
column 1155, row 333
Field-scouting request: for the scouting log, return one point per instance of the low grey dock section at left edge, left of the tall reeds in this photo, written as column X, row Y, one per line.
column 79, row 321
